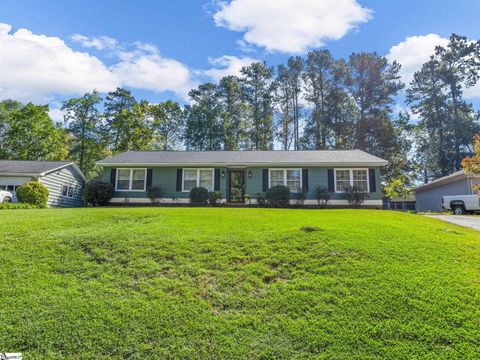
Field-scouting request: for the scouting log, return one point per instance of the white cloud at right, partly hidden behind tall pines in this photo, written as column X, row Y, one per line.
column 414, row 51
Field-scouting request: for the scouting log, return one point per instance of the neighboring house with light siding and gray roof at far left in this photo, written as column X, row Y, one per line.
column 63, row 179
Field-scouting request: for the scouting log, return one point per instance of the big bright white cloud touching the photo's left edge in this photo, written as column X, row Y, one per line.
column 34, row 67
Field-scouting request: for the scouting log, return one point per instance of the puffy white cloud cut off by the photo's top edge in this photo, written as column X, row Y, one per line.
column 291, row 26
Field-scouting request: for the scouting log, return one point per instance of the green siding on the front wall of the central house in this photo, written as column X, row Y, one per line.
column 166, row 178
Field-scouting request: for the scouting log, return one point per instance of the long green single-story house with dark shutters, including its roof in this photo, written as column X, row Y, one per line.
column 237, row 173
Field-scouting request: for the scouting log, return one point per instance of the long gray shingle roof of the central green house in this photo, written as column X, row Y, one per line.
column 317, row 157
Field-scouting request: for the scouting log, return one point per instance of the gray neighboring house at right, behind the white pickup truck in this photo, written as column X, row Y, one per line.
column 429, row 196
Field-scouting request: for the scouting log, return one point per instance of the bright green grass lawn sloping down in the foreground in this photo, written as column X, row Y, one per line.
column 237, row 283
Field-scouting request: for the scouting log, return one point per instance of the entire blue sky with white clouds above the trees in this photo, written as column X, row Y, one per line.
column 160, row 48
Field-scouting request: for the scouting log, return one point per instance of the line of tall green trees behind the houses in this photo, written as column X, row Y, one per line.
column 312, row 102
